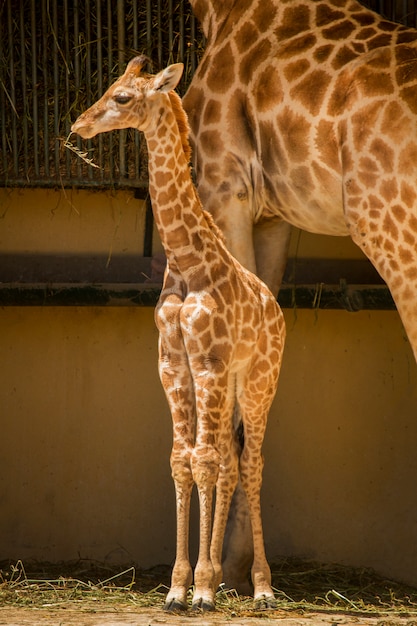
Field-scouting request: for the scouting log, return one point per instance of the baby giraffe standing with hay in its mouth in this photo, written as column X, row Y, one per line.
column 221, row 337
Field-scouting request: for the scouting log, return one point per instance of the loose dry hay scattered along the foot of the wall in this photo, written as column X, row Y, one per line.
column 300, row 587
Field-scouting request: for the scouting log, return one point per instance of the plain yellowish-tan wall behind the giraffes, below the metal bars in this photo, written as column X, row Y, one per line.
column 85, row 438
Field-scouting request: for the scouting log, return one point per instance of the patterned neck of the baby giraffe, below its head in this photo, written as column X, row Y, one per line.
column 179, row 217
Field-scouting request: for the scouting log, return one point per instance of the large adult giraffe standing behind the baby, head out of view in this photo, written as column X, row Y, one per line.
column 304, row 113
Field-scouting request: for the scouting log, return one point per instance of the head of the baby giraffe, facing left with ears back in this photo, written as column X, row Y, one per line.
column 131, row 102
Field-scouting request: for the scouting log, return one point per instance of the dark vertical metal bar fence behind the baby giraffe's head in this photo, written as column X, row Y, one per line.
column 58, row 56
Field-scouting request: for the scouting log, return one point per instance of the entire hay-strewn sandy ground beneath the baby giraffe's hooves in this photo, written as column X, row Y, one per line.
column 86, row 593
